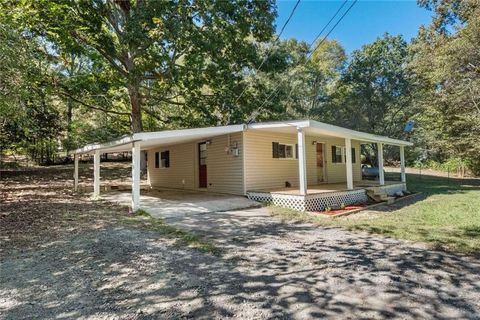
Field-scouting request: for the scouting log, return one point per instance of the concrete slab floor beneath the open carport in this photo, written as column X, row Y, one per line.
column 169, row 203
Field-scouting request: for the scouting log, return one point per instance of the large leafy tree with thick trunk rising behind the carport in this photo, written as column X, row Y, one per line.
column 179, row 52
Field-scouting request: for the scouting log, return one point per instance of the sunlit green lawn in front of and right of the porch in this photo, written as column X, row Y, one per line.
column 447, row 215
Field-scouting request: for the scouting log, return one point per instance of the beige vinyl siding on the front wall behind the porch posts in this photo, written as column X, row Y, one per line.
column 265, row 172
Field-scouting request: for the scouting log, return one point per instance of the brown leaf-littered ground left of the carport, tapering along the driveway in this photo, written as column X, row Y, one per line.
column 38, row 206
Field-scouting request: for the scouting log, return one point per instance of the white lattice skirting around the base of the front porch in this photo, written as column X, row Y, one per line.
column 311, row 202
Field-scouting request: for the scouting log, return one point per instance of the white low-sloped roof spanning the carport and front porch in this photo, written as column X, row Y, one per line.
column 168, row 137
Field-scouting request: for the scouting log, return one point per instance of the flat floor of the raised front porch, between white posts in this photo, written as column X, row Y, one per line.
column 328, row 187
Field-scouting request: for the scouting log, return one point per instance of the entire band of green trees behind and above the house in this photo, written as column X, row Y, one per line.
column 75, row 72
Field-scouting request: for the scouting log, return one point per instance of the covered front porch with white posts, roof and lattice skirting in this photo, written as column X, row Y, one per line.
column 341, row 182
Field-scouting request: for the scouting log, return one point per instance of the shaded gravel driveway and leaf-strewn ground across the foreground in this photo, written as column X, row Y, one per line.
column 64, row 256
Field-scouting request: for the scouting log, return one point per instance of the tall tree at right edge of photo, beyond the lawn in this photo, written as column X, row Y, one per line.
column 447, row 64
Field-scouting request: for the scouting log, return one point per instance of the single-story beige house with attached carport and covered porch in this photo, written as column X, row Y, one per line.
column 301, row 164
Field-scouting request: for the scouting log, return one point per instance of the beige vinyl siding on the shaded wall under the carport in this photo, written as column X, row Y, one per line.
column 224, row 170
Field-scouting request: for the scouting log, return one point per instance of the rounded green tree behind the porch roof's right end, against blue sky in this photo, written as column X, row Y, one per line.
column 375, row 93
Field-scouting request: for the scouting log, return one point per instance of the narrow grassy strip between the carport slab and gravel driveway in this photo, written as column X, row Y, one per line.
column 144, row 220
